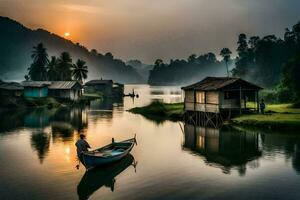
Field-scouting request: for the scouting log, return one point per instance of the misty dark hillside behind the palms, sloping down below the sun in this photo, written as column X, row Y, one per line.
column 16, row 42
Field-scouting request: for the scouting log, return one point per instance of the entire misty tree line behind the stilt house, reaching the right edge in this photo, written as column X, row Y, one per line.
column 268, row 61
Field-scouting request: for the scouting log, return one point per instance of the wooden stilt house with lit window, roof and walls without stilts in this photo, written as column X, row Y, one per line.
column 217, row 94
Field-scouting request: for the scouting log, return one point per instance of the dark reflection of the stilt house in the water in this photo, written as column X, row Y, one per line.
column 224, row 149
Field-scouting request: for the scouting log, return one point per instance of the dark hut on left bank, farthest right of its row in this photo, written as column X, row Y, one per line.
column 107, row 87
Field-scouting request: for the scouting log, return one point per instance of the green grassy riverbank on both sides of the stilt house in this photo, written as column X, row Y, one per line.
column 278, row 116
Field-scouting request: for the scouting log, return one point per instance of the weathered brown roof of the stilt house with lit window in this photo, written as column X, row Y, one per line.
column 218, row 83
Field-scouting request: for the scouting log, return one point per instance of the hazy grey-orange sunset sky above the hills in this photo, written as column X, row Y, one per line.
column 151, row 29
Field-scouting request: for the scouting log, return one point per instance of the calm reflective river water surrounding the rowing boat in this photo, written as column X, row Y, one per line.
column 171, row 160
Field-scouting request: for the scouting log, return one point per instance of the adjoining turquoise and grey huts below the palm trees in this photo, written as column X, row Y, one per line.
column 59, row 89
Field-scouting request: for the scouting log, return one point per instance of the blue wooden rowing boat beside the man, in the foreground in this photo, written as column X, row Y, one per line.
column 108, row 154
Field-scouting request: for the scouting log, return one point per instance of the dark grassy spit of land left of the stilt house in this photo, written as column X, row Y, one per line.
column 159, row 112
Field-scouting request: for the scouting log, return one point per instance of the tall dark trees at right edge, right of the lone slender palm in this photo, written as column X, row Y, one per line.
column 271, row 62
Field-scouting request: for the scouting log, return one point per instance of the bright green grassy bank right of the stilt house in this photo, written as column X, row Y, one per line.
column 278, row 116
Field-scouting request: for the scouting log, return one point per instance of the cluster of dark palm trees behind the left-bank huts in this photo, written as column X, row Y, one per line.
column 55, row 69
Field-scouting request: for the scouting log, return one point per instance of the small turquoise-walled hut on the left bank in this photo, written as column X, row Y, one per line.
column 36, row 88
